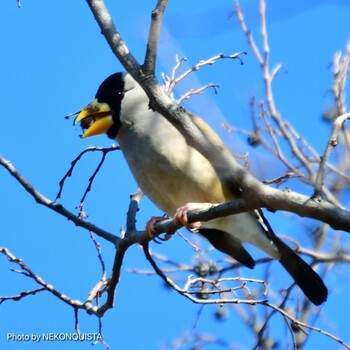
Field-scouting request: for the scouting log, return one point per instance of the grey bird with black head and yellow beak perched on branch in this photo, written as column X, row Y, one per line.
column 176, row 177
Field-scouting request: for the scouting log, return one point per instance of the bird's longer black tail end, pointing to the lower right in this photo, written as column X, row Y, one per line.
column 304, row 276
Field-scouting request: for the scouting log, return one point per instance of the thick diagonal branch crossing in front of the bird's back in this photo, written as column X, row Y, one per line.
column 221, row 159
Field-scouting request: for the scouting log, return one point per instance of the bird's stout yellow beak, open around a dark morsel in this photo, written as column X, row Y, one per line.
column 95, row 118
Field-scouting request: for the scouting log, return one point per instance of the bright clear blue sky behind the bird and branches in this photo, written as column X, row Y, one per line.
column 53, row 59
